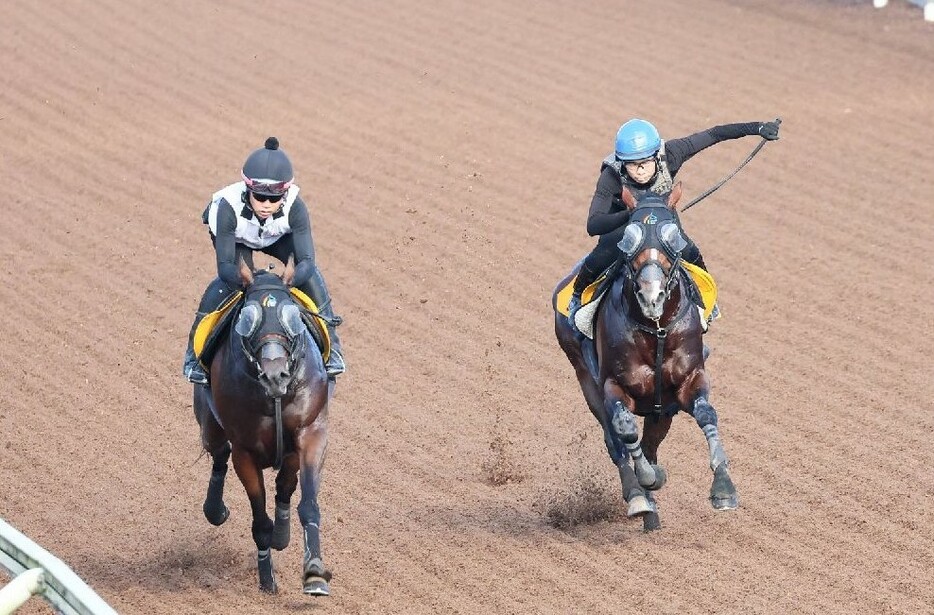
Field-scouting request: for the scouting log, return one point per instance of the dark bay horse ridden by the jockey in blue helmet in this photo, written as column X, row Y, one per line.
column 649, row 357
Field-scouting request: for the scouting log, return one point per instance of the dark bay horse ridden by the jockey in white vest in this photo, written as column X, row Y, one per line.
column 266, row 405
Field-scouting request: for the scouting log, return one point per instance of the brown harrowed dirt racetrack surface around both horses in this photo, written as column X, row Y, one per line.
column 448, row 151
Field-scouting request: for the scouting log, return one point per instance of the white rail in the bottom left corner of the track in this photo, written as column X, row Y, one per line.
column 36, row 571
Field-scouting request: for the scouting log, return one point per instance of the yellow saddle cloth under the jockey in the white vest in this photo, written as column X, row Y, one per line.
column 213, row 327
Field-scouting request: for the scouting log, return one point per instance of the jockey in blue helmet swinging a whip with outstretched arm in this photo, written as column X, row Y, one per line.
column 643, row 162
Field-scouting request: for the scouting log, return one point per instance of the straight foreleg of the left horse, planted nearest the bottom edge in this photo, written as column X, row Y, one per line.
column 312, row 444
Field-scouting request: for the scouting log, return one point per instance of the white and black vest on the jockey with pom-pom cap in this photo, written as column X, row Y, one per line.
column 249, row 230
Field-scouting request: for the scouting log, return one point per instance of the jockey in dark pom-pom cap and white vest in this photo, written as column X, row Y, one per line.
column 262, row 212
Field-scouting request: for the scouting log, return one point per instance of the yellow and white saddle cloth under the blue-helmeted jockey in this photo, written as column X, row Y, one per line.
column 702, row 291
